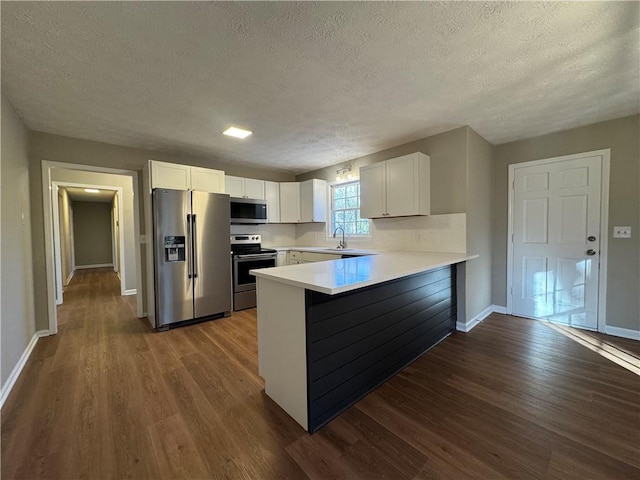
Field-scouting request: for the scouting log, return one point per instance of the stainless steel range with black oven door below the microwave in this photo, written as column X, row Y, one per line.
column 248, row 254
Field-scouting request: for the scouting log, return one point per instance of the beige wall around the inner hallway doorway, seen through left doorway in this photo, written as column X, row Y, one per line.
column 128, row 204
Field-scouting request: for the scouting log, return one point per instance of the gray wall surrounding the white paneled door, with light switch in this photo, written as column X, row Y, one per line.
column 622, row 137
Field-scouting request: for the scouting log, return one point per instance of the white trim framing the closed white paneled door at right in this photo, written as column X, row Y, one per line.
column 605, row 155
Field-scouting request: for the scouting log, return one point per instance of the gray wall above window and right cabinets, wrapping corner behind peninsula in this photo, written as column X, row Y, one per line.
column 460, row 183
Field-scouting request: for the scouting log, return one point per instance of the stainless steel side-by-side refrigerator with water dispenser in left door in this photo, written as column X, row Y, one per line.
column 192, row 255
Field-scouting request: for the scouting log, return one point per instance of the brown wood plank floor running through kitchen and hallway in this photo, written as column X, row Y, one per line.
column 110, row 398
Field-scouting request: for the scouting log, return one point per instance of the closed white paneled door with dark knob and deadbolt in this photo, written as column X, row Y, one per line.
column 556, row 241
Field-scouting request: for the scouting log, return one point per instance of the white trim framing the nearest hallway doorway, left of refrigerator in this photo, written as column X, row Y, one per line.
column 47, row 189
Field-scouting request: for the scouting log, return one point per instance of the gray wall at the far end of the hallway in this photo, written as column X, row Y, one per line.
column 92, row 233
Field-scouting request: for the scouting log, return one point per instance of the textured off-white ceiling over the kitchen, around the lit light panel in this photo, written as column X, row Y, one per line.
column 317, row 82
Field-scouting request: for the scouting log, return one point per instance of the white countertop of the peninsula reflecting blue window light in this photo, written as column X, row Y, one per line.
column 343, row 275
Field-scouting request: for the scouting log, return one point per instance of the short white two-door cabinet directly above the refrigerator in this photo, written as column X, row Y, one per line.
column 184, row 177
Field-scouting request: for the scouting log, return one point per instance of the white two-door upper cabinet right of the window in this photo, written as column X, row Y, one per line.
column 396, row 188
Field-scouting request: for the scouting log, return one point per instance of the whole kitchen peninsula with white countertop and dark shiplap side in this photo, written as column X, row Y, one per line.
column 330, row 332
